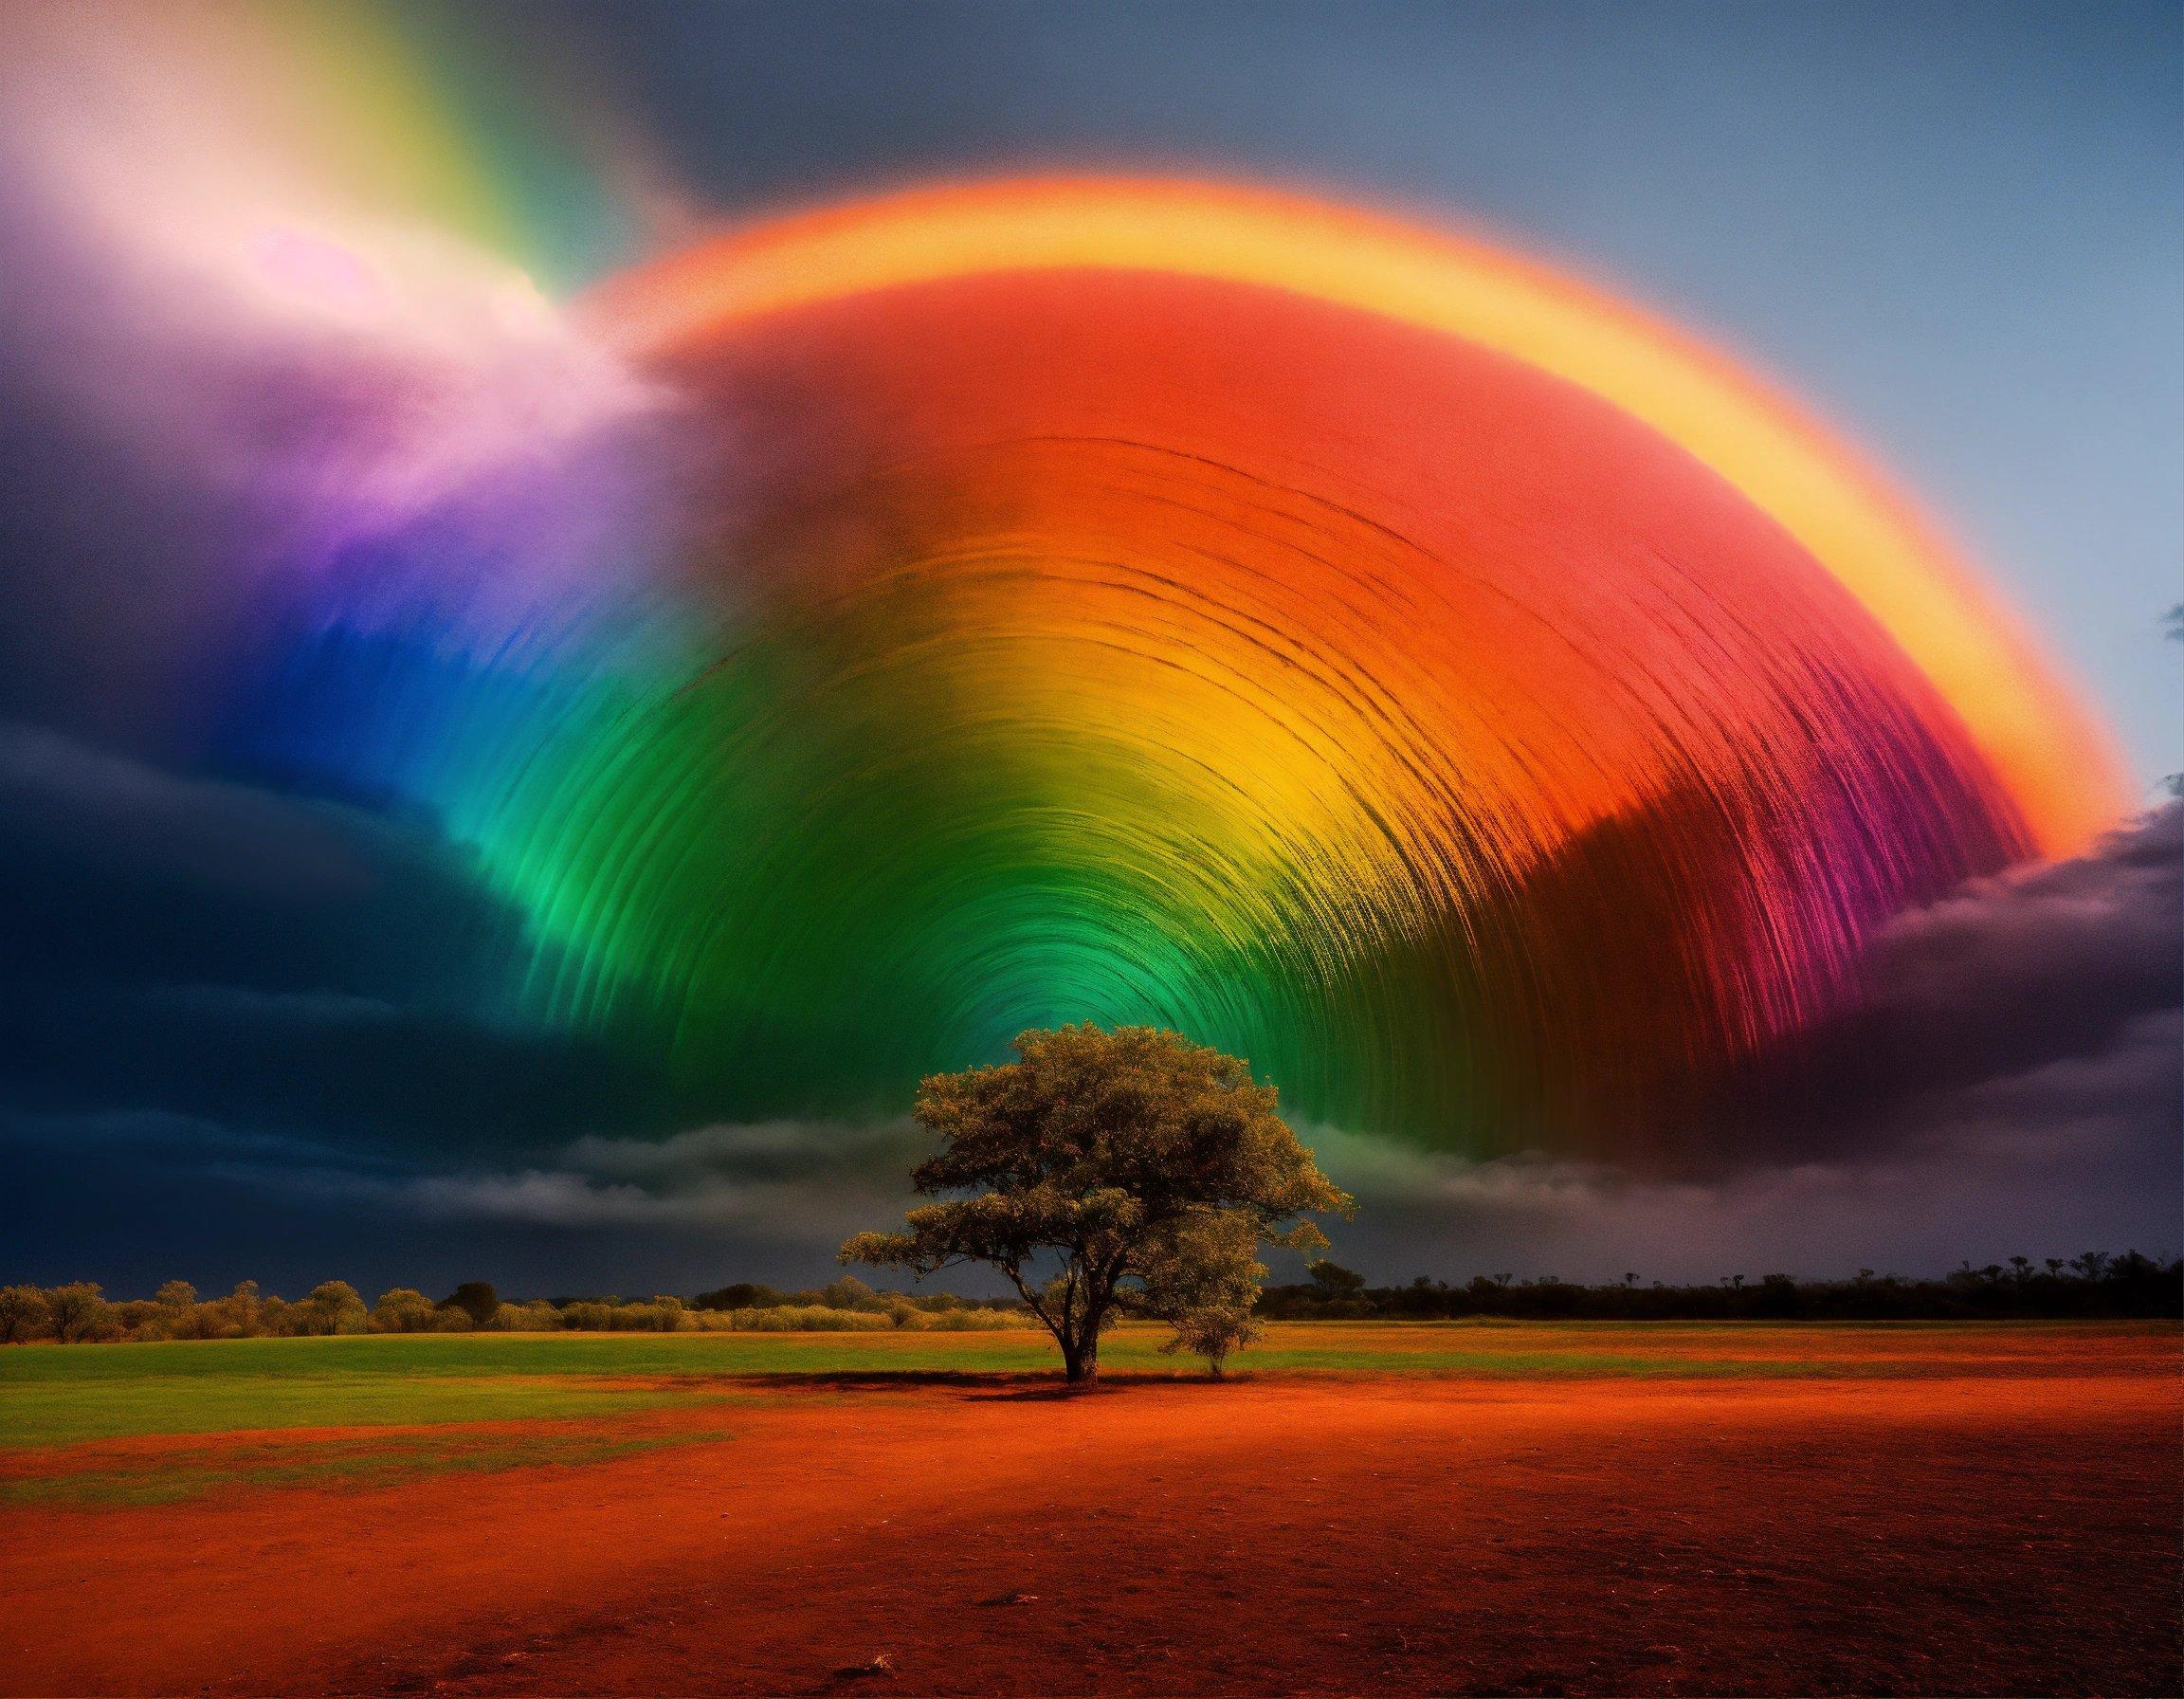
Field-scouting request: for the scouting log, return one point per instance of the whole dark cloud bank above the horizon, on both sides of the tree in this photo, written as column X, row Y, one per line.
column 241, row 1036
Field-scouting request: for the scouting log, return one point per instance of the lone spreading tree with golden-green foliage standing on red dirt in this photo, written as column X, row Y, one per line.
column 1143, row 1165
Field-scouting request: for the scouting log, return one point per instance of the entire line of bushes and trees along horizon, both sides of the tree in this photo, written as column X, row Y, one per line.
column 2091, row 1285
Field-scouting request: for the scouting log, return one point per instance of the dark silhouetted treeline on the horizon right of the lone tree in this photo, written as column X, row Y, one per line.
column 2091, row 1285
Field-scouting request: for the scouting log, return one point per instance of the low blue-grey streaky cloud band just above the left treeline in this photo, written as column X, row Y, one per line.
column 682, row 1213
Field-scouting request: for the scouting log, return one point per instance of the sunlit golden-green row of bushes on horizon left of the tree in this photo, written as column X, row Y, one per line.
column 80, row 1314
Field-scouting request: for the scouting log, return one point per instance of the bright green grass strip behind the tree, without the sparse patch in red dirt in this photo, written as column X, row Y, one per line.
column 73, row 1394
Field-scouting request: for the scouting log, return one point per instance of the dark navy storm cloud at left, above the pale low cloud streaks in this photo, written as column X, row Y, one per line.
column 211, row 951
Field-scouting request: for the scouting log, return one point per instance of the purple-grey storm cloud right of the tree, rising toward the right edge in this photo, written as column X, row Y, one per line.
column 2010, row 1082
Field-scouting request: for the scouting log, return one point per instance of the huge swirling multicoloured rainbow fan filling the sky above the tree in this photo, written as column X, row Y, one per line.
column 1032, row 602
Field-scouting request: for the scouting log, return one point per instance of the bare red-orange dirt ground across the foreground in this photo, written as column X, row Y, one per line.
column 1180, row 1538
